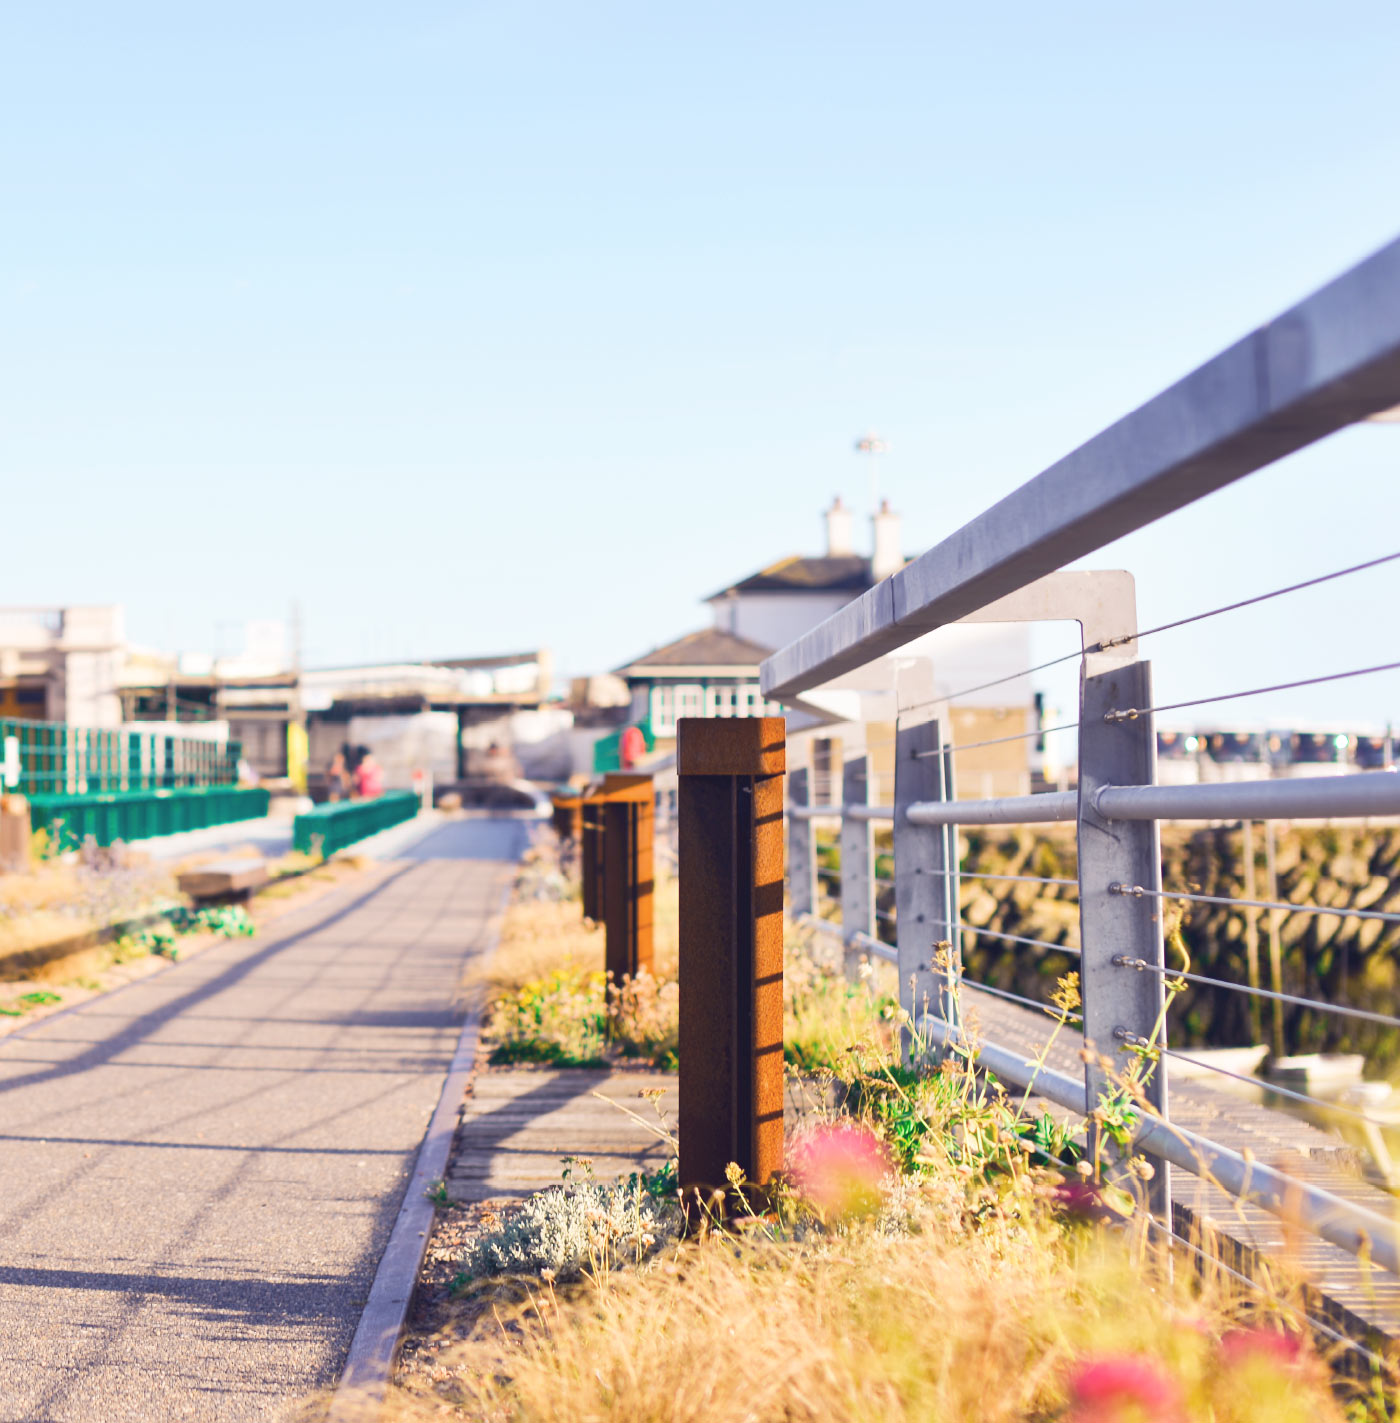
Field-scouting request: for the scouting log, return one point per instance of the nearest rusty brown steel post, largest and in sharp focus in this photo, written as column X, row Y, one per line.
column 732, row 773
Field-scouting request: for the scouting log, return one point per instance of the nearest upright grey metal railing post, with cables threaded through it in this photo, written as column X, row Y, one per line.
column 1122, row 1004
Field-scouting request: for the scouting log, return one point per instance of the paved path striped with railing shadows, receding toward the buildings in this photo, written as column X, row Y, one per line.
column 198, row 1173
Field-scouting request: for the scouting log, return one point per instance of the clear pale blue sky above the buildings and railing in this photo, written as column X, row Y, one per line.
column 486, row 325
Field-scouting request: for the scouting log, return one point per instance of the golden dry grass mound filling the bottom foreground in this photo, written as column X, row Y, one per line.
column 962, row 1318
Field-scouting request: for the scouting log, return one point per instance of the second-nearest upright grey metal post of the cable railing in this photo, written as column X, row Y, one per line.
column 926, row 880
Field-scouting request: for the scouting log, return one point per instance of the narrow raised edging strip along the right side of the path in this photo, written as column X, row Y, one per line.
column 365, row 1381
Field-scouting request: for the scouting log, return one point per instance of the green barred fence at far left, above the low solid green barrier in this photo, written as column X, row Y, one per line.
column 53, row 758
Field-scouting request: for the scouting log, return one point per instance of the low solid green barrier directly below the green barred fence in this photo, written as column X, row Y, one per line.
column 112, row 816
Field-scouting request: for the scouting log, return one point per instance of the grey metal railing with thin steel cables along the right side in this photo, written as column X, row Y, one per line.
column 1330, row 362
